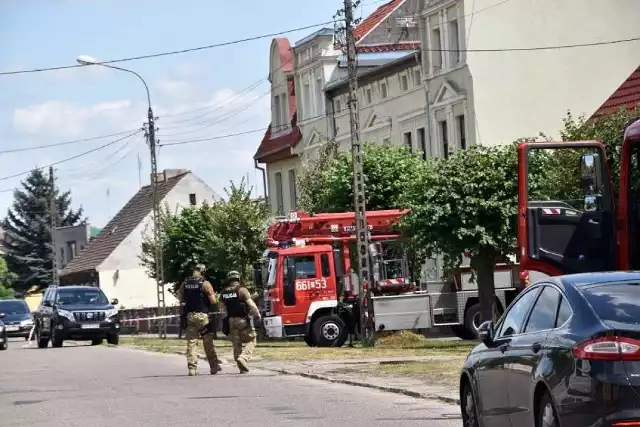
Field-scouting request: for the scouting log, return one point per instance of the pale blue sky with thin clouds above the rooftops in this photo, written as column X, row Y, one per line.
column 58, row 106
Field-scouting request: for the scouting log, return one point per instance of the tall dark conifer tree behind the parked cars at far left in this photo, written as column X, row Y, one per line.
column 27, row 237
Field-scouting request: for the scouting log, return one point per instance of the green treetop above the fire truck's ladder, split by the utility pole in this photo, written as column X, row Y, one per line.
column 327, row 184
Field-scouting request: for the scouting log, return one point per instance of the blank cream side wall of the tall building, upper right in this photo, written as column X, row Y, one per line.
column 519, row 94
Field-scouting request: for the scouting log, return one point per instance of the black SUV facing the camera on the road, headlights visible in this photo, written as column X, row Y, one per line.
column 81, row 313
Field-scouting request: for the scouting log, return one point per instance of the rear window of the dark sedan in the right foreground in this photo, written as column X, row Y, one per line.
column 615, row 302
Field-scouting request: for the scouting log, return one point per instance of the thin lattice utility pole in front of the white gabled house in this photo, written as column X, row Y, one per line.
column 151, row 140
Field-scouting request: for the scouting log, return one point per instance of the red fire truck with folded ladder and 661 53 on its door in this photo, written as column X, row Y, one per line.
column 311, row 290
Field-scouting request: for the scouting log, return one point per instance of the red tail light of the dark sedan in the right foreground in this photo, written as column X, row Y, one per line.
column 608, row 348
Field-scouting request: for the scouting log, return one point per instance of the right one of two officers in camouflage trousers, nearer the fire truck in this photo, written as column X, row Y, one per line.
column 239, row 307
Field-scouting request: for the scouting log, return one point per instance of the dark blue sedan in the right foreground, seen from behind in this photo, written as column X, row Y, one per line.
column 565, row 353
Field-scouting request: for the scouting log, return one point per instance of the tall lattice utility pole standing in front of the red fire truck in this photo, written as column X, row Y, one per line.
column 362, row 230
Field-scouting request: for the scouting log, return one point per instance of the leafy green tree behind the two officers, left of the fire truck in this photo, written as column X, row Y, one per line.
column 226, row 235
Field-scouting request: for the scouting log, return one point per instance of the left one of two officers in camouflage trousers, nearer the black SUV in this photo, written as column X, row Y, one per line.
column 198, row 297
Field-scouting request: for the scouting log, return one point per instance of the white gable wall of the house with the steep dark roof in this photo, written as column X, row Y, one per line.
column 121, row 275
